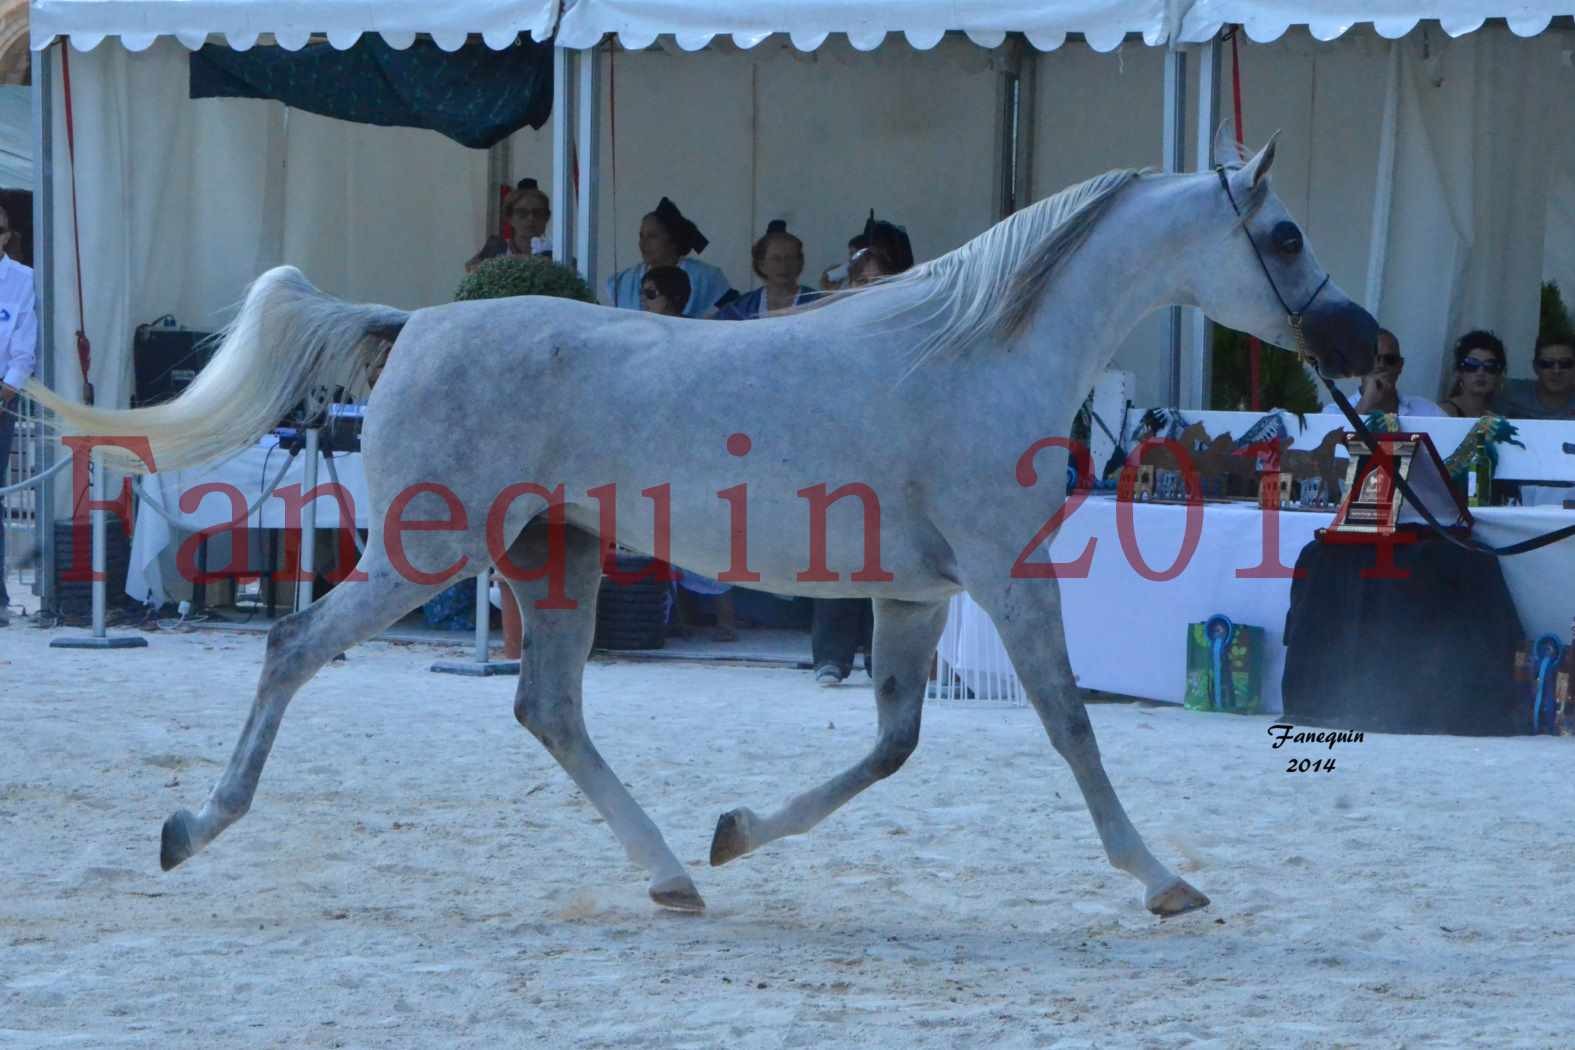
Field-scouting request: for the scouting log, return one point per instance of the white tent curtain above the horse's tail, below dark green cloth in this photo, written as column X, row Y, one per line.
column 183, row 204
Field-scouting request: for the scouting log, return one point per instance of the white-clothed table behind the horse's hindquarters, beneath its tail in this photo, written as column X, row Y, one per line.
column 157, row 541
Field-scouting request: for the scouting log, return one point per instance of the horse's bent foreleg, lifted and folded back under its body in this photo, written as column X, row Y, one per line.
column 906, row 637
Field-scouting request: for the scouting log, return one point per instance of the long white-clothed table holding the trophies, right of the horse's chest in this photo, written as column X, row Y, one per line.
column 1127, row 634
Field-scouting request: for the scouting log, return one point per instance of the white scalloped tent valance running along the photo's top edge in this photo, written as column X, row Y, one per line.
column 1047, row 24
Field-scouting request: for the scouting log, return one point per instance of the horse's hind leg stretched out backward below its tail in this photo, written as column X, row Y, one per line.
column 298, row 646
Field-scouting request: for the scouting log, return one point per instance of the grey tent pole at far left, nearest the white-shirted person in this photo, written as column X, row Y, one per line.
column 45, row 585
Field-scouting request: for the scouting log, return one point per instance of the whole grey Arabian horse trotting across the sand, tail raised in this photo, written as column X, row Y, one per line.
column 927, row 397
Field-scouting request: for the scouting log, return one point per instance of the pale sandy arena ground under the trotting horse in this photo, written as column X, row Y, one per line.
column 418, row 873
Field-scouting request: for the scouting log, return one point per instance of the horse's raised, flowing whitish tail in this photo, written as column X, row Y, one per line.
column 287, row 341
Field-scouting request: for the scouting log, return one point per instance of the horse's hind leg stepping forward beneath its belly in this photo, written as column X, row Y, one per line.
column 549, row 703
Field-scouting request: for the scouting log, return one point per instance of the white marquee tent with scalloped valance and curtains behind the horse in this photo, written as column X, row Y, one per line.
column 1414, row 149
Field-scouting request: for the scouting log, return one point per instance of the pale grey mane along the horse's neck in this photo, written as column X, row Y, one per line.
column 991, row 286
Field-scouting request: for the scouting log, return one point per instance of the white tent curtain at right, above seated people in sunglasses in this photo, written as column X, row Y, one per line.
column 1470, row 196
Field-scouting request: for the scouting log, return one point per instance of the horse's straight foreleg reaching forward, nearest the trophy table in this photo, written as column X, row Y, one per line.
column 1028, row 615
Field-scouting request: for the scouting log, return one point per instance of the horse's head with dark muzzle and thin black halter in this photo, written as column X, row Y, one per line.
column 1262, row 278
